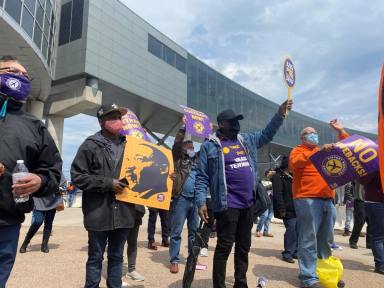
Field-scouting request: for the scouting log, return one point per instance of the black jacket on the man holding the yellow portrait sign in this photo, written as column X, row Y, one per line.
column 93, row 171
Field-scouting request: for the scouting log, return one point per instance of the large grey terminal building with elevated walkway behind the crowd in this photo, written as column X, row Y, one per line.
column 82, row 53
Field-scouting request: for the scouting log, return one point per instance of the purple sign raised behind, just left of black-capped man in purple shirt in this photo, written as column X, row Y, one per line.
column 196, row 122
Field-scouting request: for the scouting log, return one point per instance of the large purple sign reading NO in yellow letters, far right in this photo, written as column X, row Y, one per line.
column 352, row 158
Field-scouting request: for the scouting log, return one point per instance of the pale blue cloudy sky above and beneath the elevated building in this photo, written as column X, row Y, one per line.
column 337, row 48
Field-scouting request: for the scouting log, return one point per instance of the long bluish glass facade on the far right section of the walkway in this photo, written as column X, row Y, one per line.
column 211, row 92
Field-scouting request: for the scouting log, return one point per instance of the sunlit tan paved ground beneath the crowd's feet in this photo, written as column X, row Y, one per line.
column 64, row 266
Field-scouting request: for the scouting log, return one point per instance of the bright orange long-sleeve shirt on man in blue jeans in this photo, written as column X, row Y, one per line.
column 307, row 181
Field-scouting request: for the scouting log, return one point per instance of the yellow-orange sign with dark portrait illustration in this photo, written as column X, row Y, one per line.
column 146, row 167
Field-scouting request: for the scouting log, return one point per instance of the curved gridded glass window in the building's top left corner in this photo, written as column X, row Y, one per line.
column 36, row 18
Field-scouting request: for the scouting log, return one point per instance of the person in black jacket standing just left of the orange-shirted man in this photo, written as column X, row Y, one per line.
column 284, row 209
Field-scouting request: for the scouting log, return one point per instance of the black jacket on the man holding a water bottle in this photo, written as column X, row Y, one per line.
column 24, row 137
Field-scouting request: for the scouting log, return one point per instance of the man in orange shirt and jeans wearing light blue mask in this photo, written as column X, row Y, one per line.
column 315, row 211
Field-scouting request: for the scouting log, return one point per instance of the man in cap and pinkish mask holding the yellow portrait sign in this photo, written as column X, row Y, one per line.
column 95, row 170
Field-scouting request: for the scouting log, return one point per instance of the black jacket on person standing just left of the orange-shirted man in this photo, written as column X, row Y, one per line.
column 283, row 206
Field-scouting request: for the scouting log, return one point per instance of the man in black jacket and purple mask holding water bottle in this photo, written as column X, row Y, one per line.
column 22, row 137
